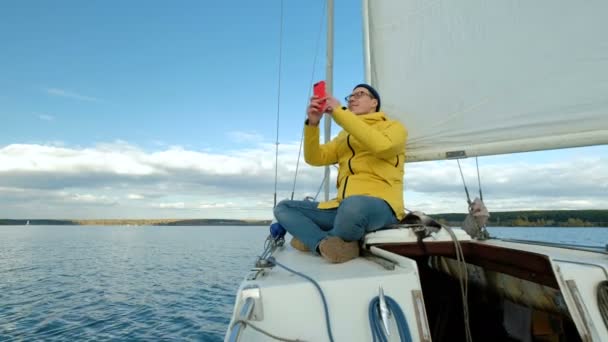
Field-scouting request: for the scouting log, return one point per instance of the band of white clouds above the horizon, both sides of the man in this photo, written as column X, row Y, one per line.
column 122, row 180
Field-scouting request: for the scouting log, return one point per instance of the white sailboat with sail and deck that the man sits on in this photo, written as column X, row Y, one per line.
column 467, row 78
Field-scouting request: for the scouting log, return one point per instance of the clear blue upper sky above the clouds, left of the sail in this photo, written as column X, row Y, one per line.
column 176, row 73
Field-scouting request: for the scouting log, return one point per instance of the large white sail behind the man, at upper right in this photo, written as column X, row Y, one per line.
column 473, row 77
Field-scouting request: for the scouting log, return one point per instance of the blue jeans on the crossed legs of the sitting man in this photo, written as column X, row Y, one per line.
column 355, row 216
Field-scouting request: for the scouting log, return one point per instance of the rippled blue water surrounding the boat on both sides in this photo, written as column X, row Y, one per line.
column 66, row 283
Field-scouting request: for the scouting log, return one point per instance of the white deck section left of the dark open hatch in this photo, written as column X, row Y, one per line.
column 291, row 306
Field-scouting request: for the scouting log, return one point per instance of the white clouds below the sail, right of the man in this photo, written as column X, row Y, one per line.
column 573, row 183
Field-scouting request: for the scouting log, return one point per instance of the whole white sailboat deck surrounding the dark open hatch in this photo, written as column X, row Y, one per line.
column 289, row 306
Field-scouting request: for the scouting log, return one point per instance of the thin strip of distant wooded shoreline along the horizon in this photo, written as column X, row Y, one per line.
column 530, row 218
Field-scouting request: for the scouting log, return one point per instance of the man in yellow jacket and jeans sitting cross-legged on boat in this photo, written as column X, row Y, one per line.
column 370, row 152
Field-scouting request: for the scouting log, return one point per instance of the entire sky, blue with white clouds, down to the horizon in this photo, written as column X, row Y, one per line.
column 155, row 109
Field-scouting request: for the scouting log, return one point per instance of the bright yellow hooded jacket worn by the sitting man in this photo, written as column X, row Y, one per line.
column 370, row 152
